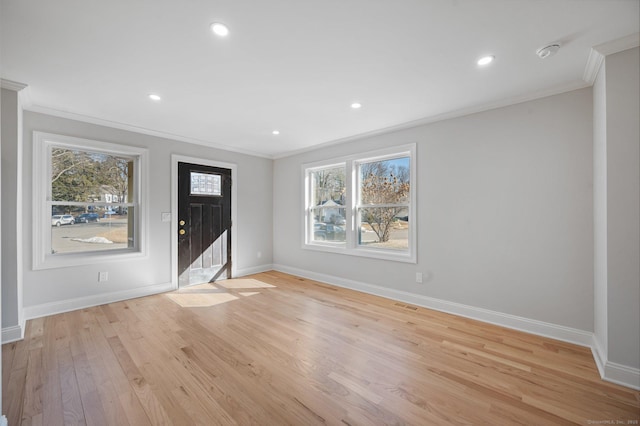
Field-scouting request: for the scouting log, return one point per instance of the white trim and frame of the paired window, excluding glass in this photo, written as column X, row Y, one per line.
column 351, row 247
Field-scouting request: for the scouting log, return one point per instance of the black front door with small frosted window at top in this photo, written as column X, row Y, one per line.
column 204, row 223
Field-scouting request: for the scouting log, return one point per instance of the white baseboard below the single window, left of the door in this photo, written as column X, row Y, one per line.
column 37, row 311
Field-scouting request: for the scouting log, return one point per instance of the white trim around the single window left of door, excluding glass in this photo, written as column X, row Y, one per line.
column 42, row 258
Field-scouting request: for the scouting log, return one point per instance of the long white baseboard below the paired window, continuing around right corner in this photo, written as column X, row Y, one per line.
column 609, row 371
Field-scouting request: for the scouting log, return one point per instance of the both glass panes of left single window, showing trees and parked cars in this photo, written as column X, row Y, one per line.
column 93, row 190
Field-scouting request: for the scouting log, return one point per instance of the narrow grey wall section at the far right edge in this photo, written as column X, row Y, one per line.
column 623, row 207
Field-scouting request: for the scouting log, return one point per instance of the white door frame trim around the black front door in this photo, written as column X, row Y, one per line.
column 175, row 159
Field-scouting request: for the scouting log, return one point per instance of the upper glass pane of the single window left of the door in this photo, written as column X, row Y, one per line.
column 84, row 176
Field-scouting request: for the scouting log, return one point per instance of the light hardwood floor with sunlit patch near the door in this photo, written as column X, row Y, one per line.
column 273, row 349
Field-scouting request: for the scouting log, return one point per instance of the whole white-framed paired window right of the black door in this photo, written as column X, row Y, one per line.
column 363, row 205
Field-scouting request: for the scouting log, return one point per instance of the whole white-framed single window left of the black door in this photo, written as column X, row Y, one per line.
column 87, row 201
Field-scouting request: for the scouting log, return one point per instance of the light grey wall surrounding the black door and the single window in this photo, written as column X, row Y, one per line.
column 50, row 290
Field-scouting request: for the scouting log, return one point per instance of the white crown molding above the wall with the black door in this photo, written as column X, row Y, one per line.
column 142, row 130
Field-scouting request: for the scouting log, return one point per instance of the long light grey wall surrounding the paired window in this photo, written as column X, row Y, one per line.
column 505, row 212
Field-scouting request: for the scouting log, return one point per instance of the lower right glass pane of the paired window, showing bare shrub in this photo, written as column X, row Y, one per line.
column 384, row 227
